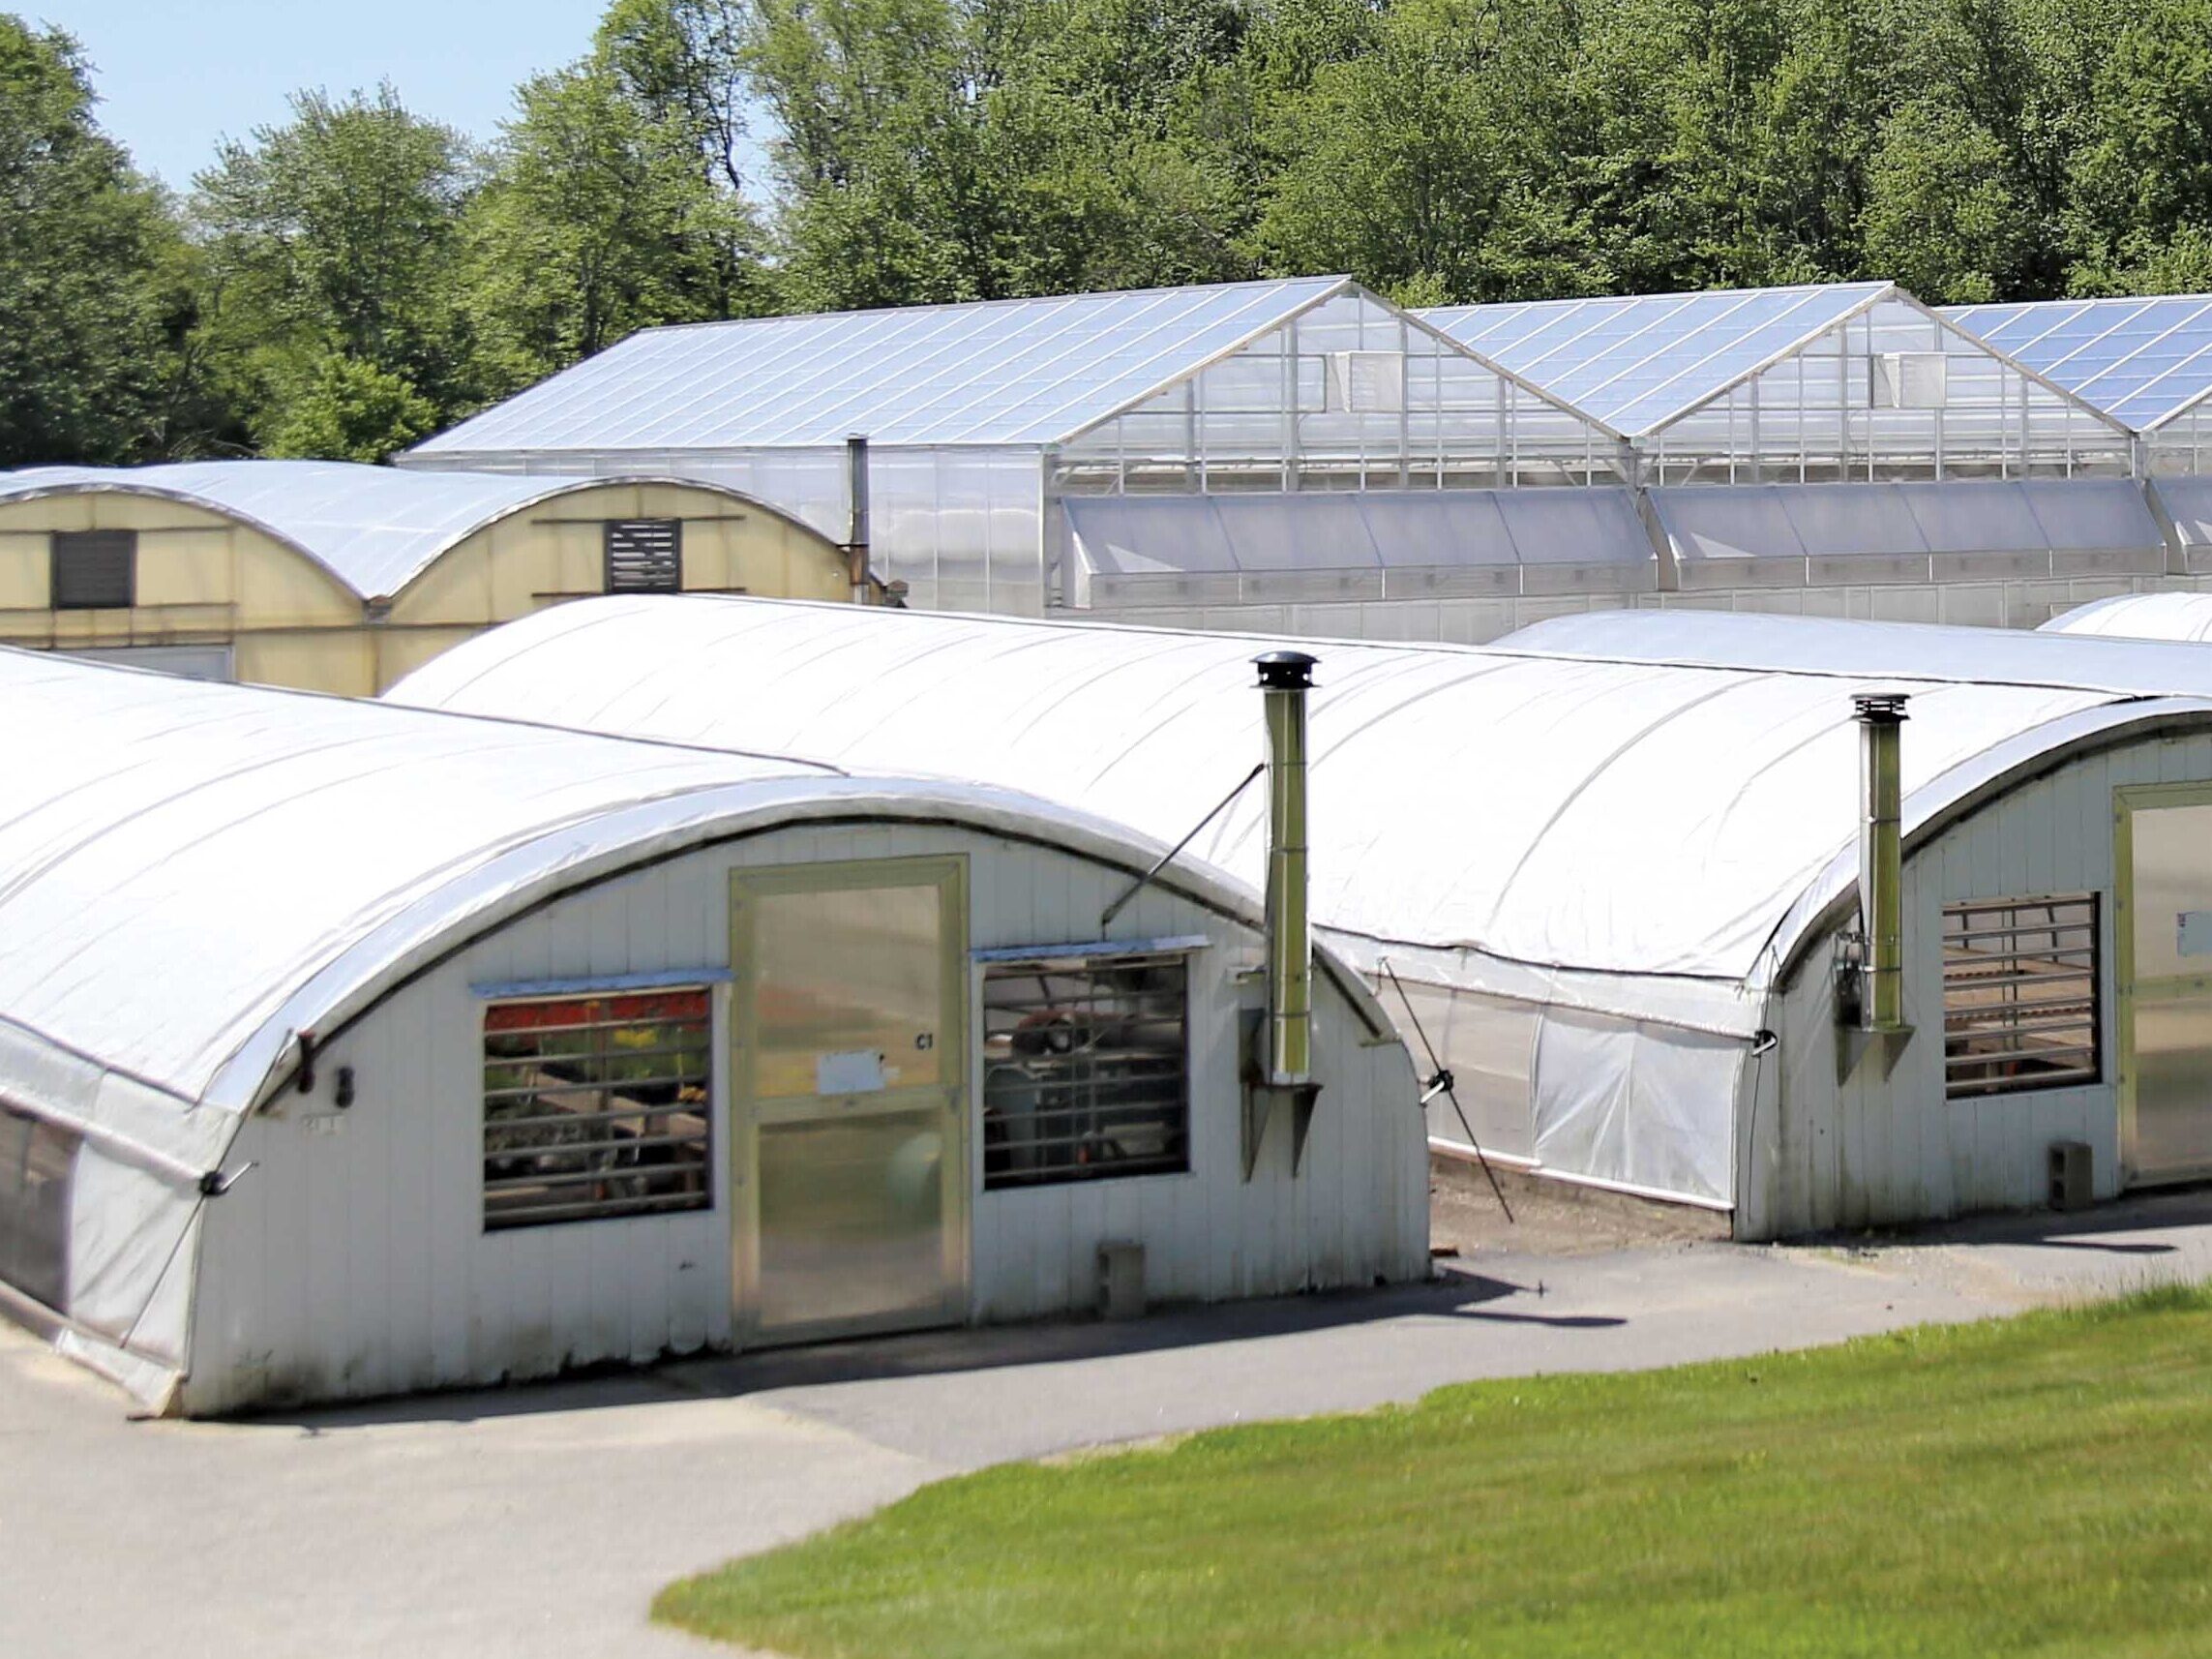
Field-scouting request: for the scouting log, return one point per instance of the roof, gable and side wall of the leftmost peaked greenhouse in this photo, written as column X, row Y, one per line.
column 983, row 419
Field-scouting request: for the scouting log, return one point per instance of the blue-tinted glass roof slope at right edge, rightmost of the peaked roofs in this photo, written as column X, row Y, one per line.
column 2138, row 359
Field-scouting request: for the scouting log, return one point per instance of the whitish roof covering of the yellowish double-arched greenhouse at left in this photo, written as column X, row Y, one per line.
column 373, row 528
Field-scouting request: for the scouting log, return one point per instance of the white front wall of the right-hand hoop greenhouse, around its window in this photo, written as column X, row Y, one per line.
column 1890, row 1149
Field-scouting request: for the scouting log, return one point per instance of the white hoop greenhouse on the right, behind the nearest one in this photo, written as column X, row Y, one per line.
column 1609, row 886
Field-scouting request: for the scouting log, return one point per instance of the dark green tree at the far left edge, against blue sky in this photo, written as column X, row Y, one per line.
column 90, row 255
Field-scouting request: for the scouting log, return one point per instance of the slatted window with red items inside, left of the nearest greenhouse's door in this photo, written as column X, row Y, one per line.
column 698, row 1178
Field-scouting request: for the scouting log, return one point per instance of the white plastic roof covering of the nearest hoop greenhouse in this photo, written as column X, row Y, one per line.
column 194, row 875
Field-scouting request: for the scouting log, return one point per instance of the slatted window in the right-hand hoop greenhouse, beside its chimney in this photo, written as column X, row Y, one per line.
column 1972, row 1074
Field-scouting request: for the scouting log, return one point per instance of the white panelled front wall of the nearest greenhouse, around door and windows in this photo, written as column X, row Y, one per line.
column 353, row 1262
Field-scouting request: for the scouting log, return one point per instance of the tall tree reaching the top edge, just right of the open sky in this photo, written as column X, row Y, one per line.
column 614, row 200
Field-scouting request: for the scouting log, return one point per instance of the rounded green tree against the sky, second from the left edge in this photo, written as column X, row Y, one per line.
column 333, row 247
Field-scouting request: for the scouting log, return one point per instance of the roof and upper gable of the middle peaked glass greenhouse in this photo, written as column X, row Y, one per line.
column 1813, row 384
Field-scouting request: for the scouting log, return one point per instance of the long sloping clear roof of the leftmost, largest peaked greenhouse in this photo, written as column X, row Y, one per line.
column 1014, row 373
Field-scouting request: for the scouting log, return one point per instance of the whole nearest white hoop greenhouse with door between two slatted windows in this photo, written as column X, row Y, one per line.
column 351, row 1050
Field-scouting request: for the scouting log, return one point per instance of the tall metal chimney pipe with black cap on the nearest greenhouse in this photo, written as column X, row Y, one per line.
column 1284, row 680
